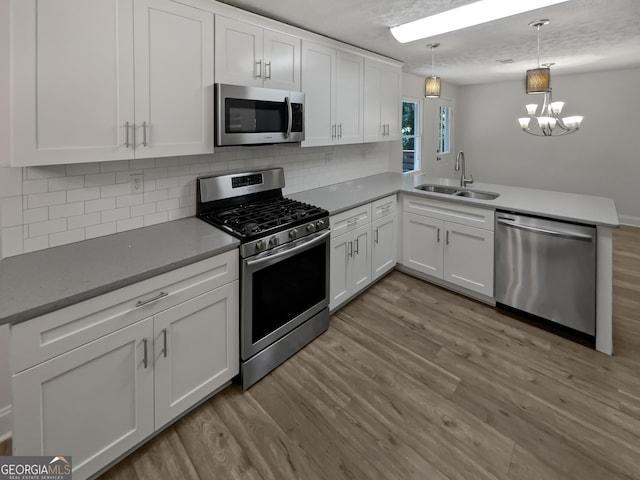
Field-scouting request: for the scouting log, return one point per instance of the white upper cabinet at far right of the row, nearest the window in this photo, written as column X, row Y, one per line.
column 382, row 85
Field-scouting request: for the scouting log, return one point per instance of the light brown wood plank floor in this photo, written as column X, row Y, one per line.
column 414, row 382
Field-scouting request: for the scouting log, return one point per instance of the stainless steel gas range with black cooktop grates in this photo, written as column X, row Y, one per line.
column 284, row 264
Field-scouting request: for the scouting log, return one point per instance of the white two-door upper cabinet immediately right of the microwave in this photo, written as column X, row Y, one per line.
column 333, row 83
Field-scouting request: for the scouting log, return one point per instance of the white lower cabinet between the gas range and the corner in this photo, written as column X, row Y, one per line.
column 362, row 250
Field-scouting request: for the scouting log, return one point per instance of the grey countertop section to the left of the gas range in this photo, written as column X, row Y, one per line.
column 43, row 281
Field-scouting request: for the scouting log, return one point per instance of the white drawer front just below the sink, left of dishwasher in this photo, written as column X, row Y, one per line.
column 450, row 212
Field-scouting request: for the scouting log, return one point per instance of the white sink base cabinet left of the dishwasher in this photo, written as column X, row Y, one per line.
column 453, row 251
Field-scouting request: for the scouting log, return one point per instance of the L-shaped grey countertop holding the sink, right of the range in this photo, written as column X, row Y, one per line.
column 592, row 210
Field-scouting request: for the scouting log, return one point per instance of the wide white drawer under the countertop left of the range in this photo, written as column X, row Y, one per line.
column 47, row 336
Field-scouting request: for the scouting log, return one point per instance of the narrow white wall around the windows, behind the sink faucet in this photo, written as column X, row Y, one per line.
column 432, row 163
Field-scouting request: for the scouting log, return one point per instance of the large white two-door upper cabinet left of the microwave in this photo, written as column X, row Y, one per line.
column 74, row 94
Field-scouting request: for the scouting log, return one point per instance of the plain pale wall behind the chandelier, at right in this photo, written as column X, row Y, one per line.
column 603, row 158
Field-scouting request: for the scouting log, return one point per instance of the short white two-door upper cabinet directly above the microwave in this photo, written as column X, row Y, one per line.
column 254, row 56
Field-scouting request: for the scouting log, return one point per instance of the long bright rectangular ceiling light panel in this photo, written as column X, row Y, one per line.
column 466, row 16
